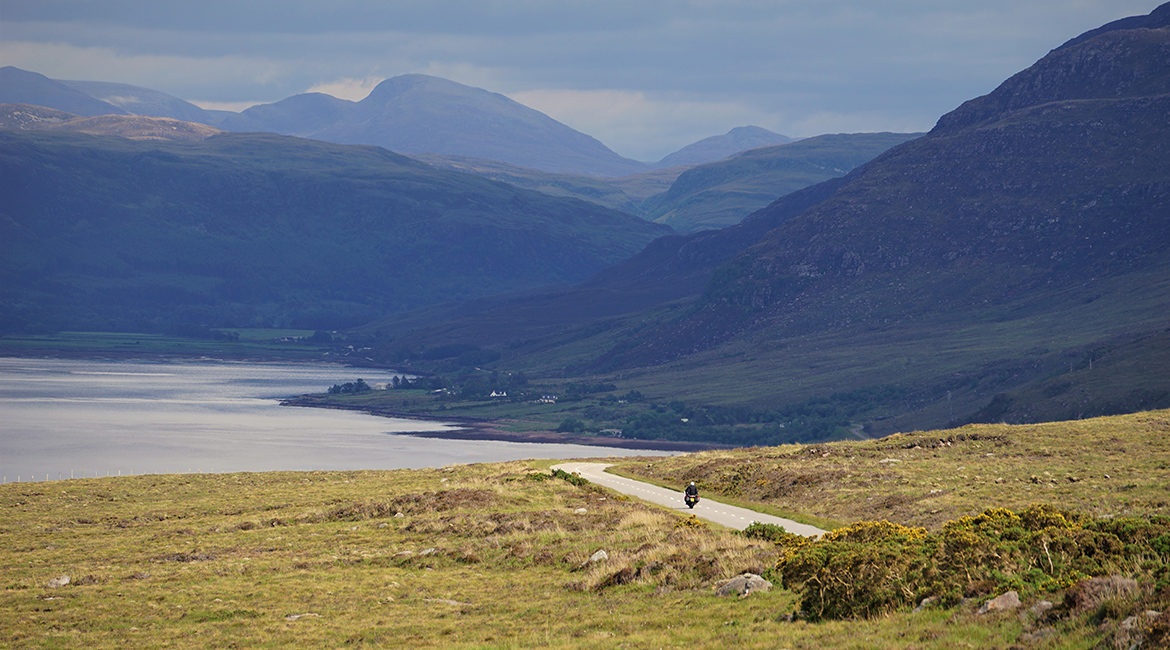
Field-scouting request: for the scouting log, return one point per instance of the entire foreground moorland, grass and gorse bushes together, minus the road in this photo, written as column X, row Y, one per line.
column 422, row 557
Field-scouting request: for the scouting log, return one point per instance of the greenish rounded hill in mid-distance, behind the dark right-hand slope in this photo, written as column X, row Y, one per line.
column 719, row 195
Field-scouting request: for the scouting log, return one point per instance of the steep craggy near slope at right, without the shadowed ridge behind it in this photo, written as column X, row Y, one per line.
column 982, row 251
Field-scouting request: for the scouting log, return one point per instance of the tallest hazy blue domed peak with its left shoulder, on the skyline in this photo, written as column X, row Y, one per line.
column 421, row 114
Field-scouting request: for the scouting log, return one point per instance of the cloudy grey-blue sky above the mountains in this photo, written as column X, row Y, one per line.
column 646, row 78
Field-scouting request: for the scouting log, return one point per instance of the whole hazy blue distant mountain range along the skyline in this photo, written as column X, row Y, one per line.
column 410, row 114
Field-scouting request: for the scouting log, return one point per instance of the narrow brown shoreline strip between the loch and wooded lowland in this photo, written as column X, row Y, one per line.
column 476, row 428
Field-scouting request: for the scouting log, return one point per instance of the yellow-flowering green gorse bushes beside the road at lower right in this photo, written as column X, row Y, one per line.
column 873, row 569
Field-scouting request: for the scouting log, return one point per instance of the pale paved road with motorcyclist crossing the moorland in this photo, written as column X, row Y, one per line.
column 729, row 516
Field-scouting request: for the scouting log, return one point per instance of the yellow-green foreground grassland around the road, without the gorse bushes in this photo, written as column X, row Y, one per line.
column 498, row 556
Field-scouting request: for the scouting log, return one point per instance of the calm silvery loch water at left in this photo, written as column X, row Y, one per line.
column 68, row 418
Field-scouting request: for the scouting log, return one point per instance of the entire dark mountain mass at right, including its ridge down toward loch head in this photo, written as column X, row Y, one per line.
column 989, row 255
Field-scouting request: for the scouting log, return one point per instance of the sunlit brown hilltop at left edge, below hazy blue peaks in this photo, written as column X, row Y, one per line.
column 136, row 128
